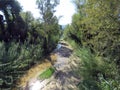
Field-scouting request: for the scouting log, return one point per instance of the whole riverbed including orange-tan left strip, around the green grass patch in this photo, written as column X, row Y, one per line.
column 64, row 77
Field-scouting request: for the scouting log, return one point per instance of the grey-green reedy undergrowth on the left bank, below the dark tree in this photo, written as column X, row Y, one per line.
column 15, row 59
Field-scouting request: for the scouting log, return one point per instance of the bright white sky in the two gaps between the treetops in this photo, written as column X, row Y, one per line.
column 65, row 9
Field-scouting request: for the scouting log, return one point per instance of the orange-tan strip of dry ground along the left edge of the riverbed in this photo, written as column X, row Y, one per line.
column 36, row 70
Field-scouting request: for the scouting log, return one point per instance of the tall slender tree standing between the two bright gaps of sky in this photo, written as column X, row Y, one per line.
column 49, row 23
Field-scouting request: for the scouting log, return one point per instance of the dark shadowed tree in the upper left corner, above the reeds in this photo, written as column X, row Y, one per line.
column 15, row 25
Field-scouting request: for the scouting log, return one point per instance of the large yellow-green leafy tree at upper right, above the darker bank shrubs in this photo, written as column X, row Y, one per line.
column 98, row 25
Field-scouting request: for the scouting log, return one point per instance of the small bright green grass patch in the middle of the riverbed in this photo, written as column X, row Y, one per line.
column 47, row 73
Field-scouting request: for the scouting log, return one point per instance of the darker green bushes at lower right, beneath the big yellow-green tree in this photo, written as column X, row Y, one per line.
column 97, row 73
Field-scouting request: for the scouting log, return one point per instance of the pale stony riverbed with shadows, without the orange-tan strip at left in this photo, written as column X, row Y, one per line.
column 64, row 77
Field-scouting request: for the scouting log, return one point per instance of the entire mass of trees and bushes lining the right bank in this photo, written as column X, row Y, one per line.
column 95, row 29
